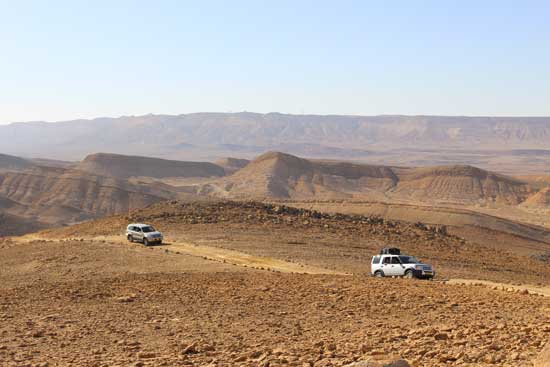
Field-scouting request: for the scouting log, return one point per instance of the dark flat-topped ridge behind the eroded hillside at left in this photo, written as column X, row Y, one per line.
column 122, row 166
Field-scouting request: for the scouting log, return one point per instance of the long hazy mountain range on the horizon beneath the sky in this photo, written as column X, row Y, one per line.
column 219, row 134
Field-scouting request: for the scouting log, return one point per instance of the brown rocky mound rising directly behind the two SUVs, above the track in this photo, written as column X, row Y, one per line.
column 333, row 241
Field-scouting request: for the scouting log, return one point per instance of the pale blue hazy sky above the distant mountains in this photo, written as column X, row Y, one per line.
column 70, row 59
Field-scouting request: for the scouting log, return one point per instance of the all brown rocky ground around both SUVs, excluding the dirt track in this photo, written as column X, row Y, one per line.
column 93, row 302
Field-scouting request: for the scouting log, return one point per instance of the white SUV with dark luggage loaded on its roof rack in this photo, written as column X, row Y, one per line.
column 400, row 265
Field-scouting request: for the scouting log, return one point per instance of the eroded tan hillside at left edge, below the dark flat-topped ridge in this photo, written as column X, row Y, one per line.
column 57, row 195
